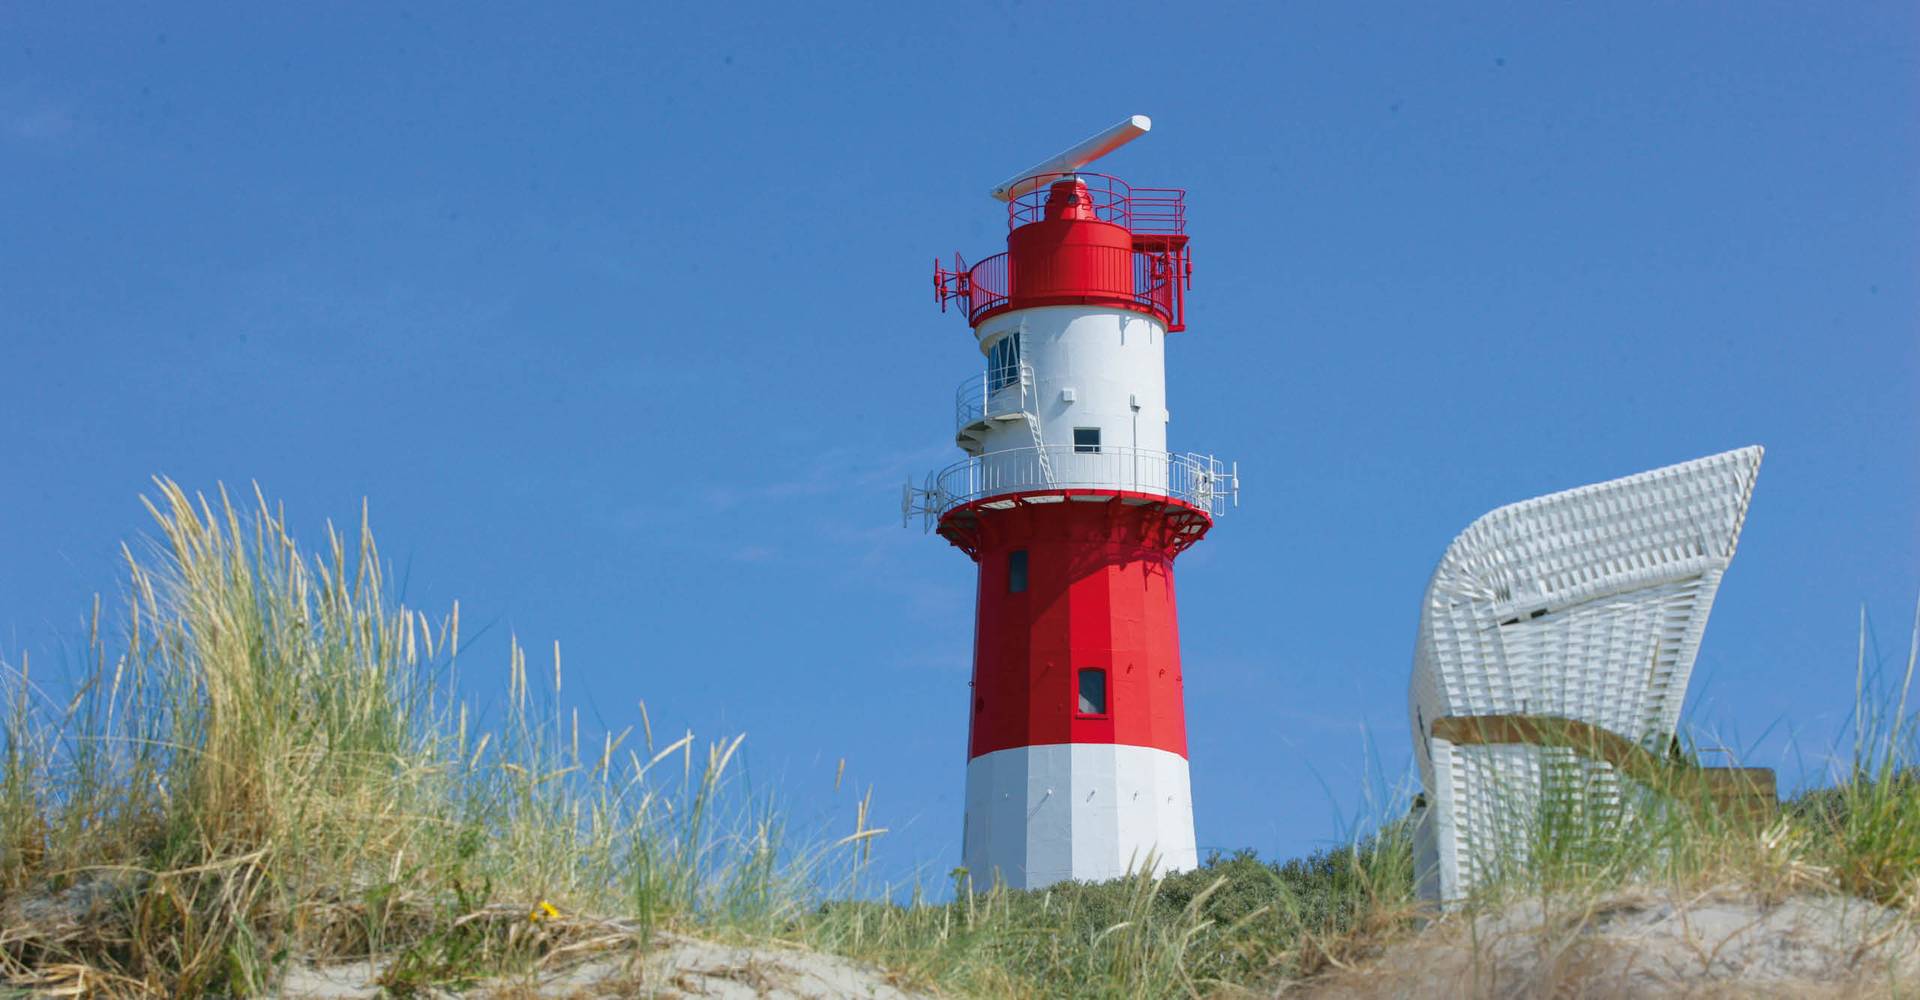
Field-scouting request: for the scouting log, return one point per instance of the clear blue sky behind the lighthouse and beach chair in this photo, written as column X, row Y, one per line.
column 621, row 320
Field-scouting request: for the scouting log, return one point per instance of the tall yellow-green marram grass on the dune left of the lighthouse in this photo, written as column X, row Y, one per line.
column 268, row 757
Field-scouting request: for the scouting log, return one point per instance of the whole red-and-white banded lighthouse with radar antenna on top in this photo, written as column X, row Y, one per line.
column 1074, row 510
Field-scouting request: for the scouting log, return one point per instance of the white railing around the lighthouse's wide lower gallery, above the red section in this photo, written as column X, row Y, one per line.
column 1193, row 479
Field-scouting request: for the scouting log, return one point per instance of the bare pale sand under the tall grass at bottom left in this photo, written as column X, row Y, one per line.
column 679, row 966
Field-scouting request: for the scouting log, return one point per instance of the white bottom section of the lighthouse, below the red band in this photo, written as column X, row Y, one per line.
column 1076, row 811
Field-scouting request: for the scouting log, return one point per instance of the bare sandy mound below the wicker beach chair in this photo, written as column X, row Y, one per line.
column 1648, row 945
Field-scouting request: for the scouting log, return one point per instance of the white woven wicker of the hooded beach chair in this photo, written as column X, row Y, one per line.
column 1585, row 606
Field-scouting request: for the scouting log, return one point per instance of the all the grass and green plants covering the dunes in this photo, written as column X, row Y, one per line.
column 268, row 759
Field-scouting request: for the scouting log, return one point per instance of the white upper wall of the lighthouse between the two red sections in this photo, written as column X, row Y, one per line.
column 1113, row 362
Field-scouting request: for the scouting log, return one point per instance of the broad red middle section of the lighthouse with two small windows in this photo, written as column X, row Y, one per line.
column 1078, row 632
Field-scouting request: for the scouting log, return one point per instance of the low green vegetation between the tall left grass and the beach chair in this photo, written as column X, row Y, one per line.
column 1236, row 922
